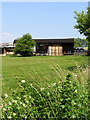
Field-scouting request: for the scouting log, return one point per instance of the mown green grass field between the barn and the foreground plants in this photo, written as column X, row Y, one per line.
column 38, row 70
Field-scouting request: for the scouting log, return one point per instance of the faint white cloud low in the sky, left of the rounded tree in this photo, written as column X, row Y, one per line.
column 8, row 37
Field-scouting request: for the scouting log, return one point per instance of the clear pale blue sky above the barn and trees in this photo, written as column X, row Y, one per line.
column 41, row 20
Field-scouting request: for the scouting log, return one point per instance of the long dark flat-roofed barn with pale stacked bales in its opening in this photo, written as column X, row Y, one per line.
column 55, row 46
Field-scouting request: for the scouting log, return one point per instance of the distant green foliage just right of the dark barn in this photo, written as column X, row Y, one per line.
column 80, row 42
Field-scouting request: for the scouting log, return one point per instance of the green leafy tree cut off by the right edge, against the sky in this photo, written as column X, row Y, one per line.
column 83, row 24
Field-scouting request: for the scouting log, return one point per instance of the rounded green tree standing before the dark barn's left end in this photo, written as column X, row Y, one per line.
column 24, row 45
